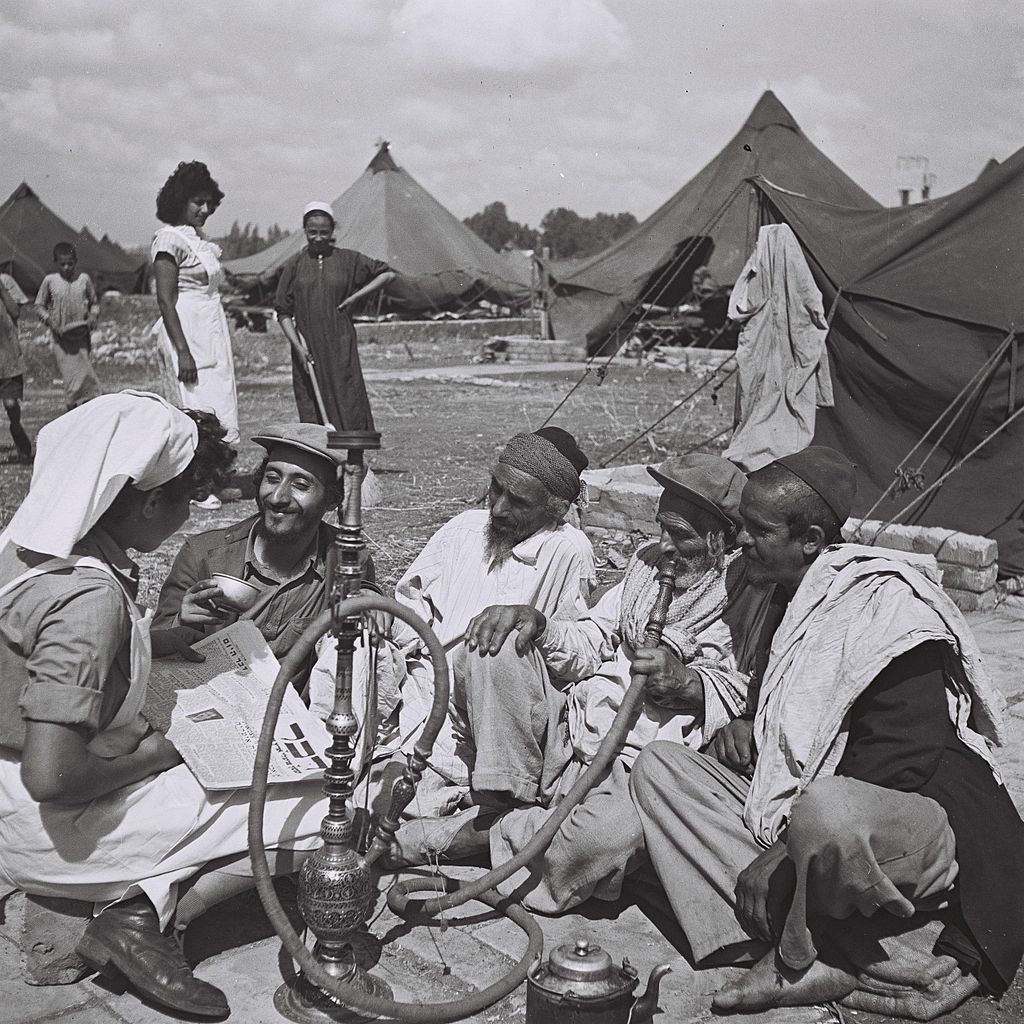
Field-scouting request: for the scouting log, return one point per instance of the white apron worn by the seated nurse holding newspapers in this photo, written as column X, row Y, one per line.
column 144, row 838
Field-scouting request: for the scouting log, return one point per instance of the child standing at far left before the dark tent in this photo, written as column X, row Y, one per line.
column 68, row 306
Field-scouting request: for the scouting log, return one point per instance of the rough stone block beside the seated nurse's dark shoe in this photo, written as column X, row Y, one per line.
column 51, row 930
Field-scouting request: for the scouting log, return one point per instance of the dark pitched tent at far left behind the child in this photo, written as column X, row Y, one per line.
column 29, row 230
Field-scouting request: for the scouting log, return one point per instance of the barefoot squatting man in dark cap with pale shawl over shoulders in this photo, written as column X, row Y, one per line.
column 854, row 841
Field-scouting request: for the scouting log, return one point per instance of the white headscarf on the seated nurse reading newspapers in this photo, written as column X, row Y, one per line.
column 86, row 458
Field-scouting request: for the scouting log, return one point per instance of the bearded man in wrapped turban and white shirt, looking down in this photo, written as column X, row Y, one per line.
column 519, row 550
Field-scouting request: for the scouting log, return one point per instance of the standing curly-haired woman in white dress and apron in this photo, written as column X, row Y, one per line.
column 193, row 331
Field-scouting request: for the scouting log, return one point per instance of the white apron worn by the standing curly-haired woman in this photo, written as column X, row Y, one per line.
column 205, row 328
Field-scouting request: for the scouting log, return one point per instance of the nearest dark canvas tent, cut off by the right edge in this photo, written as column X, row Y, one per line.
column 927, row 298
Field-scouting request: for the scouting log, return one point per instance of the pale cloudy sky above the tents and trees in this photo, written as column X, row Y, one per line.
column 594, row 105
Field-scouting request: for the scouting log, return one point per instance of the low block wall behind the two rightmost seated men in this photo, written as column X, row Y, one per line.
column 623, row 503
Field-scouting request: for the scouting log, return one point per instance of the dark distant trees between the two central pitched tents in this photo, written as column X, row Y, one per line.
column 565, row 232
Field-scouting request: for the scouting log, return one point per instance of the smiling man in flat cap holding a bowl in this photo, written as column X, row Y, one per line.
column 282, row 549
